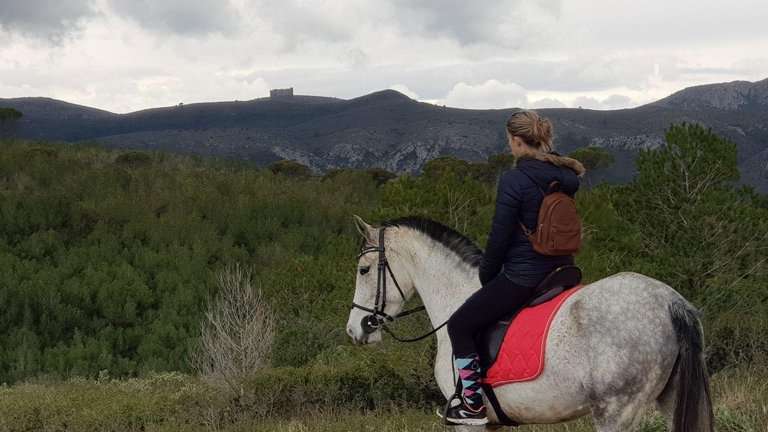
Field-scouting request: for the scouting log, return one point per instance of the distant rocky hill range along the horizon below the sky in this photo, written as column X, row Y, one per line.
column 389, row 130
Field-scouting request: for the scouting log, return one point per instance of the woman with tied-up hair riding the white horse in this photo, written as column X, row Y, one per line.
column 511, row 269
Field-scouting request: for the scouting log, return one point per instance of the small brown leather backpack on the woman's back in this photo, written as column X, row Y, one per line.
column 558, row 231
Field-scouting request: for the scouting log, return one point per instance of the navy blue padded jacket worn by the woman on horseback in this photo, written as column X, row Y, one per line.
column 518, row 199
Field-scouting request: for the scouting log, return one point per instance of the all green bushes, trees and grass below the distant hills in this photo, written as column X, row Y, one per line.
column 108, row 261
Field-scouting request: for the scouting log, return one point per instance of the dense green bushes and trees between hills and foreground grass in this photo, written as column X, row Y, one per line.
column 108, row 268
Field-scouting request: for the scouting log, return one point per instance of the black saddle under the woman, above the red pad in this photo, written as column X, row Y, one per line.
column 491, row 337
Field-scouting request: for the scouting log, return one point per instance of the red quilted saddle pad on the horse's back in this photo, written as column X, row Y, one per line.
column 521, row 357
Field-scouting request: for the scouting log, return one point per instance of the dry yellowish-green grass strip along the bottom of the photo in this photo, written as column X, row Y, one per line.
column 174, row 402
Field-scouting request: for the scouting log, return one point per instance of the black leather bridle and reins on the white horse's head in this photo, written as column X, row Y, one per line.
column 378, row 318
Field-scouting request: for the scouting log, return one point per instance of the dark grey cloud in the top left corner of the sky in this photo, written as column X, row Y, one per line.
column 52, row 20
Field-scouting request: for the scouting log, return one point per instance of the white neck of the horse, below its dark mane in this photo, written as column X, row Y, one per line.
column 441, row 278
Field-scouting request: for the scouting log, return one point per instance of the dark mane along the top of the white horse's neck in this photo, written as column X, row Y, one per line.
column 464, row 247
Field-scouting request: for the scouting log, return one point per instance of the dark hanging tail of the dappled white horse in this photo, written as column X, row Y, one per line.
column 693, row 402
